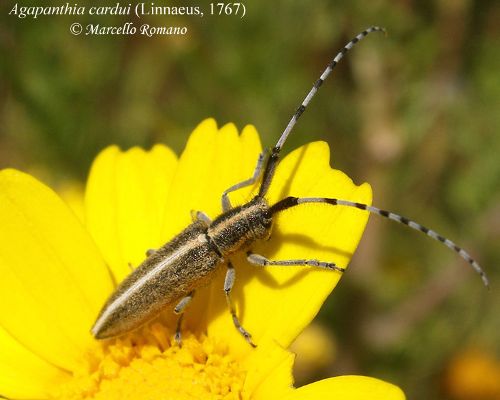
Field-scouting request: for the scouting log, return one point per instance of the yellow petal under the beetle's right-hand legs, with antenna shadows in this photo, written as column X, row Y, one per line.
column 278, row 302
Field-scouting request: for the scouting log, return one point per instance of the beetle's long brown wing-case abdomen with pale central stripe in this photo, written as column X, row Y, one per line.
column 183, row 264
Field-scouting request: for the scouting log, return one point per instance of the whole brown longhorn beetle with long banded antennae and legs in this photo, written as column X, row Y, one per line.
column 171, row 274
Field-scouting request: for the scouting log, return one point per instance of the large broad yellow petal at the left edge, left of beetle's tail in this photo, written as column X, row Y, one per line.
column 53, row 278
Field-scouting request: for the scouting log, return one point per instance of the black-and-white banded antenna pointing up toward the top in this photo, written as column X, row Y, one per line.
column 274, row 156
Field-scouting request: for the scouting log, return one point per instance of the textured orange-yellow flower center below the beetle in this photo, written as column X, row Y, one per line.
column 147, row 365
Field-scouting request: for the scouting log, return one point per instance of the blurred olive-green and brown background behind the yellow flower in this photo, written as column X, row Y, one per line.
column 416, row 114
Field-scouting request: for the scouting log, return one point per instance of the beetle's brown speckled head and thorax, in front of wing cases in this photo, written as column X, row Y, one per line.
column 238, row 228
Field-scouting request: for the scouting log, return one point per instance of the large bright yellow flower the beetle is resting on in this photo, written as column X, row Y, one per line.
column 56, row 274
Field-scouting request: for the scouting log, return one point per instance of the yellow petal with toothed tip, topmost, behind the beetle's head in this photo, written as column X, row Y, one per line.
column 213, row 160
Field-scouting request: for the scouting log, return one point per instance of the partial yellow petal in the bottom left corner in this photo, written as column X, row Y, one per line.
column 24, row 375
